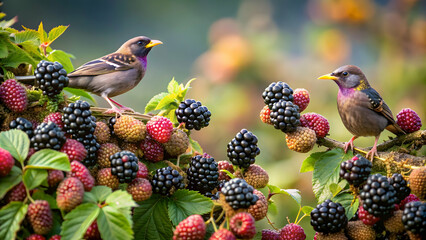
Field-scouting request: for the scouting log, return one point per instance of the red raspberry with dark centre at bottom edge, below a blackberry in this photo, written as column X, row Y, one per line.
column 242, row 225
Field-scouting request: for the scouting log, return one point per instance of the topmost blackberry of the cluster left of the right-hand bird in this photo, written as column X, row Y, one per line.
column 276, row 92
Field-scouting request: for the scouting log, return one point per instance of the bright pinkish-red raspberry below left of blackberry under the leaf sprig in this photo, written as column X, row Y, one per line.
column 160, row 128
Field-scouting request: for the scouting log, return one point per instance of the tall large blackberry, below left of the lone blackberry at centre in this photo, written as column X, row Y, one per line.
column 203, row 174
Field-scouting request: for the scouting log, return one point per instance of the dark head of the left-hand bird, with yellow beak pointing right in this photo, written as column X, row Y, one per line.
column 138, row 46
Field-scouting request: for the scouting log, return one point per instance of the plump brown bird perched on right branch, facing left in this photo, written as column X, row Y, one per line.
column 361, row 108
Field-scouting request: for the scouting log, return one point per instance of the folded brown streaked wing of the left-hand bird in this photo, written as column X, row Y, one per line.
column 106, row 64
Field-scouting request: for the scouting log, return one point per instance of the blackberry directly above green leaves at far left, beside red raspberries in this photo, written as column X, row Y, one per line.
column 48, row 135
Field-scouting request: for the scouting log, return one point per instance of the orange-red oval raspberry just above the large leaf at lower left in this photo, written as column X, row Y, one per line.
column 69, row 194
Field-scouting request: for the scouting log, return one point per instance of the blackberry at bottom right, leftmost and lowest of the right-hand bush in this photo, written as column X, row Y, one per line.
column 328, row 217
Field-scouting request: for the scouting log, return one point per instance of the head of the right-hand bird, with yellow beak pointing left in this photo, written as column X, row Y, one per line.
column 348, row 77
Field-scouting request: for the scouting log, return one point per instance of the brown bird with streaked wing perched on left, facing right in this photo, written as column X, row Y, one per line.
column 115, row 73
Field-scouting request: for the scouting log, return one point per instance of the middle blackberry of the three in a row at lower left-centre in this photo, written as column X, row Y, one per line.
column 166, row 180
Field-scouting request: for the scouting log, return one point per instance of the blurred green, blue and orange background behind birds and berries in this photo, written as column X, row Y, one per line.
column 237, row 48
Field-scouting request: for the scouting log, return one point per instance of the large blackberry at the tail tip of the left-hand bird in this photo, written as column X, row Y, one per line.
column 51, row 77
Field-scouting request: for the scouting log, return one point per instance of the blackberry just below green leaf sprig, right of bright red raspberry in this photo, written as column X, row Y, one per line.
column 193, row 114
